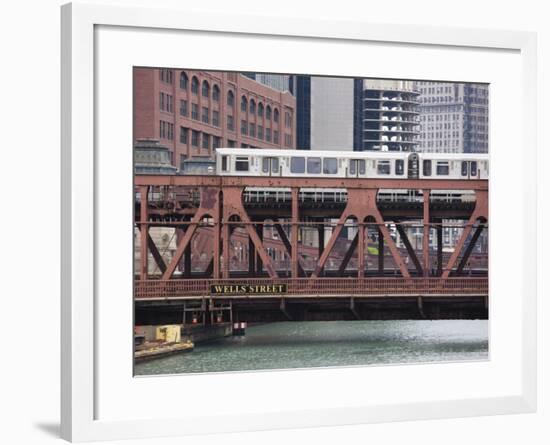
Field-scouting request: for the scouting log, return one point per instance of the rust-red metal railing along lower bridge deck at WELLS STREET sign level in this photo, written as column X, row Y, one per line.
column 345, row 287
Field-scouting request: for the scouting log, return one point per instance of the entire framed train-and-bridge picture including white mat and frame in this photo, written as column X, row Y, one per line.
column 254, row 239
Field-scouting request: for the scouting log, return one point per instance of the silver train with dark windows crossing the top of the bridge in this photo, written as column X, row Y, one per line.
column 338, row 164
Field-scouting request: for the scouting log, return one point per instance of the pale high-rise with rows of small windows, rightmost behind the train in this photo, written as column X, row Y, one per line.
column 454, row 117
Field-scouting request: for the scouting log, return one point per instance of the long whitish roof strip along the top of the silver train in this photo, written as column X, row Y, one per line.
column 348, row 154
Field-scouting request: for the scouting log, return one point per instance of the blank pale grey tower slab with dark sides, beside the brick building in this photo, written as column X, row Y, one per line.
column 327, row 112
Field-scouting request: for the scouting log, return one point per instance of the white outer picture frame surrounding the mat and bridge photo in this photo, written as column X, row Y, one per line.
column 80, row 418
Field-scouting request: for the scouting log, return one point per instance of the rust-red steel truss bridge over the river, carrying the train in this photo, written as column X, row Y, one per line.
column 220, row 210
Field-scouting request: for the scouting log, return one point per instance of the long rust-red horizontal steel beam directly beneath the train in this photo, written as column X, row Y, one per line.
column 310, row 182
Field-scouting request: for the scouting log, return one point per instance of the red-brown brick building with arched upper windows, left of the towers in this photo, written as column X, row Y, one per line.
column 194, row 112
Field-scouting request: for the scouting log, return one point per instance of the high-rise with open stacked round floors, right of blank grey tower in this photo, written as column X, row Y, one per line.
column 390, row 115
